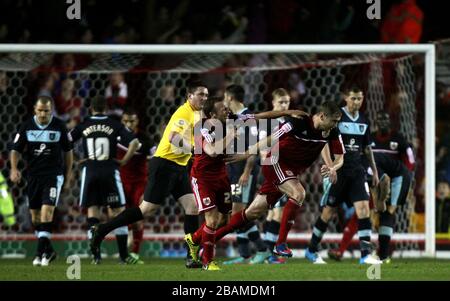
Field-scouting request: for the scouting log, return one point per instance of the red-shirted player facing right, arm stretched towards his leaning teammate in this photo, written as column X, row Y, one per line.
column 209, row 177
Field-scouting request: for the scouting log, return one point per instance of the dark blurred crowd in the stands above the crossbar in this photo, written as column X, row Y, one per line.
column 221, row 21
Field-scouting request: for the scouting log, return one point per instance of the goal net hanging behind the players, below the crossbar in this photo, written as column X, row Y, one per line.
column 155, row 84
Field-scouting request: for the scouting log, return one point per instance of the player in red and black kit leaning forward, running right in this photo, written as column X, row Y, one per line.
column 300, row 143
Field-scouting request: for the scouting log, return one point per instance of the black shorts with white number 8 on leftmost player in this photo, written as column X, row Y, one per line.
column 44, row 190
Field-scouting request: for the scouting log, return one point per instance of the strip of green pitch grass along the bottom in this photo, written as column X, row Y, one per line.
column 174, row 270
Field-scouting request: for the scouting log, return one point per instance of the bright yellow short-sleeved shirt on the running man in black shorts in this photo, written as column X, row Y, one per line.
column 181, row 122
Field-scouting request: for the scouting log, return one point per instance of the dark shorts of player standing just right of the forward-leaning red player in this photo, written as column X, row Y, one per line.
column 349, row 188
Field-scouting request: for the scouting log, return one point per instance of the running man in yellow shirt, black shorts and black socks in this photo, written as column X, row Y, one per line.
column 168, row 173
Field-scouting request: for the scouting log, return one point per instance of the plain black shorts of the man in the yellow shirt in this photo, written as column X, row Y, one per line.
column 164, row 178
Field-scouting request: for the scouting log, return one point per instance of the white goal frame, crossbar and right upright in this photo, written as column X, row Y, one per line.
column 427, row 49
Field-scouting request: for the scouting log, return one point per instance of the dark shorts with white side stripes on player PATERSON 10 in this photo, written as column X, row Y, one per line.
column 101, row 187
